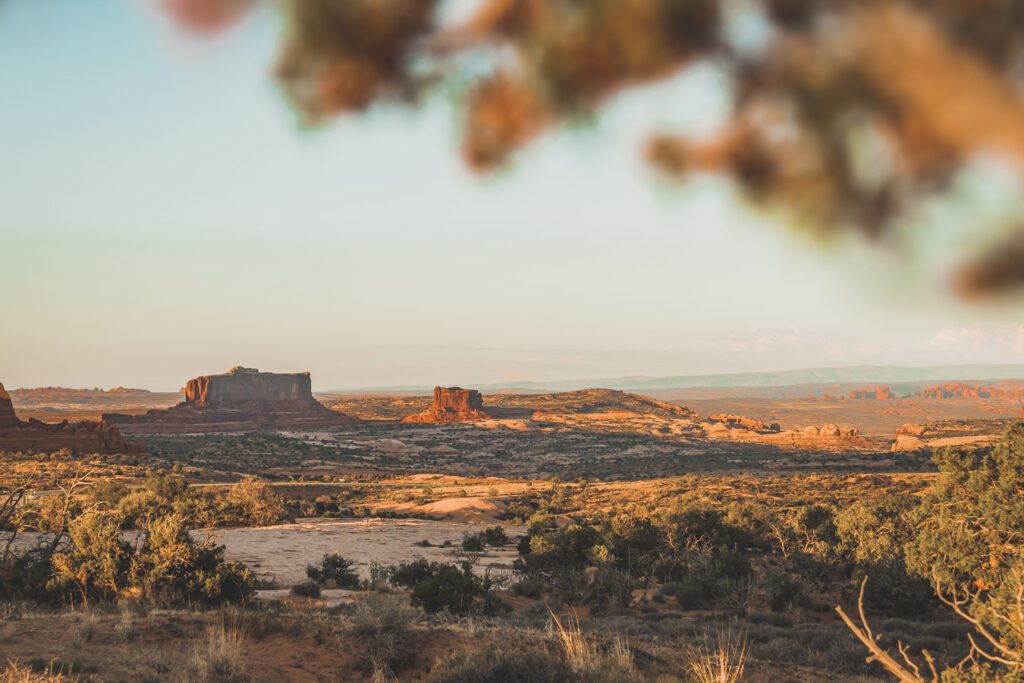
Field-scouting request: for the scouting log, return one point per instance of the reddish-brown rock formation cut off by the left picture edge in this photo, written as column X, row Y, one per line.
column 89, row 437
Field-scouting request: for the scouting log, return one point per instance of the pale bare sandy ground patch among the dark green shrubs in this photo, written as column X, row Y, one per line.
column 283, row 552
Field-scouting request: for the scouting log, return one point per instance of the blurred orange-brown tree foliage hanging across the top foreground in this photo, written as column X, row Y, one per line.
column 849, row 116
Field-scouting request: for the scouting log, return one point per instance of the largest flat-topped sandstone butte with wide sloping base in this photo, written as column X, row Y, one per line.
column 241, row 400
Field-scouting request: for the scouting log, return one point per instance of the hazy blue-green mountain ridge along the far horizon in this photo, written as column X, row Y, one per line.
column 840, row 375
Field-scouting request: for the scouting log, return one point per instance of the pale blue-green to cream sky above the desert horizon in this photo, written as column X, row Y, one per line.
column 163, row 216
